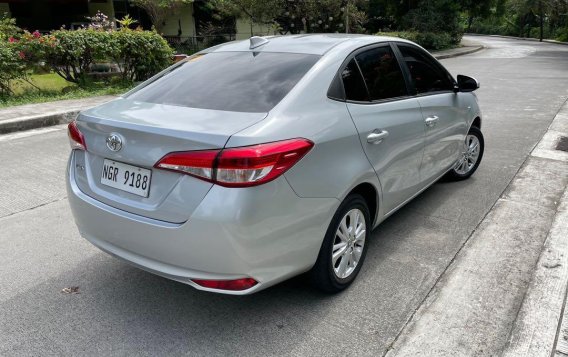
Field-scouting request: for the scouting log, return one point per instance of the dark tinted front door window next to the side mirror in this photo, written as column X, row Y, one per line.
column 427, row 75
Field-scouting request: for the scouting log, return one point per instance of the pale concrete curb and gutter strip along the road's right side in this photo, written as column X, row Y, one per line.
column 505, row 292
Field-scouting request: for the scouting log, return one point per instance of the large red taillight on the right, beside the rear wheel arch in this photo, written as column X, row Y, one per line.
column 239, row 167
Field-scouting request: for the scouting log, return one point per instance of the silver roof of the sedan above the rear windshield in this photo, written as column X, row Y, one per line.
column 316, row 44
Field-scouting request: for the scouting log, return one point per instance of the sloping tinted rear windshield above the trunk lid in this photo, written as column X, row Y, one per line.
column 232, row 81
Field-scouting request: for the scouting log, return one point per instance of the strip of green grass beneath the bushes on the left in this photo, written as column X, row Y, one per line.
column 49, row 87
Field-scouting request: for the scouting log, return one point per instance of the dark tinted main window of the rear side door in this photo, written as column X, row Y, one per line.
column 382, row 73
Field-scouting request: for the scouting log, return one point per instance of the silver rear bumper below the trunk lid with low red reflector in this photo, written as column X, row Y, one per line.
column 265, row 232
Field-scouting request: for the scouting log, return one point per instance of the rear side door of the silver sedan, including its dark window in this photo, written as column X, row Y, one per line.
column 388, row 120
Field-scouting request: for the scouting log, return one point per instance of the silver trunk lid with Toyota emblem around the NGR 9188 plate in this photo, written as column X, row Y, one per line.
column 147, row 133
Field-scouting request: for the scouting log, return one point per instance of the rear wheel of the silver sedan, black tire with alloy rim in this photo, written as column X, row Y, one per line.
column 326, row 275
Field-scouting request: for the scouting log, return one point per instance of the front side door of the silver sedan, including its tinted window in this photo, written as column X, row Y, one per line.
column 444, row 111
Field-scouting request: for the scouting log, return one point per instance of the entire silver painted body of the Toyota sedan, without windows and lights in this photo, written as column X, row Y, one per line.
column 193, row 229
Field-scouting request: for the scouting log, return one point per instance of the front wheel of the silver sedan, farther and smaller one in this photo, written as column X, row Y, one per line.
column 463, row 170
